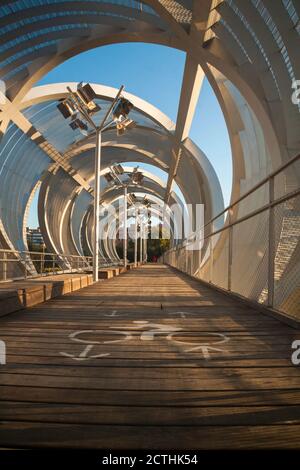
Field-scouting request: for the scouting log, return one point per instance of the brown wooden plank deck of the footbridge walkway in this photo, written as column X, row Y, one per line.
column 149, row 360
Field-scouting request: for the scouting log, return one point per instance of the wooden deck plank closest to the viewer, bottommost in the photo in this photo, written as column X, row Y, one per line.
column 145, row 437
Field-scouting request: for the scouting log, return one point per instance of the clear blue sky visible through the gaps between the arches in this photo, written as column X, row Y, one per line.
column 153, row 73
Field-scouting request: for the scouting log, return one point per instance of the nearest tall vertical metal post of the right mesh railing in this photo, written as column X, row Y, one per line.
column 271, row 246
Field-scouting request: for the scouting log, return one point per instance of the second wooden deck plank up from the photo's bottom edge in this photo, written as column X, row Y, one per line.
column 152, row 415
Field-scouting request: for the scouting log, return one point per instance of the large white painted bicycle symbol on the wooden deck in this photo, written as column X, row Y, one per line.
column 148, row 331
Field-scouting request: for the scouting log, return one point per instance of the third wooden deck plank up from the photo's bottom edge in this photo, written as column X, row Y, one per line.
column 154, row 398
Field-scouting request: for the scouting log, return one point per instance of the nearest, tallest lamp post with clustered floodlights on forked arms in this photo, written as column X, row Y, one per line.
column 80, row 107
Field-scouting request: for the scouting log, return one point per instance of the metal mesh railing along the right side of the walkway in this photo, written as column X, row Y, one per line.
column 256, row 253
